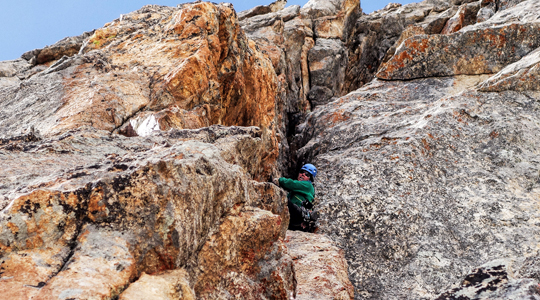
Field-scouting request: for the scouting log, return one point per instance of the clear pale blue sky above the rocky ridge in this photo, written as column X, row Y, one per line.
column 31, row 24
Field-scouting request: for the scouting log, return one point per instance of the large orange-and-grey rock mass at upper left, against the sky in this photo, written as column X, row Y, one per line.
column 155, row 69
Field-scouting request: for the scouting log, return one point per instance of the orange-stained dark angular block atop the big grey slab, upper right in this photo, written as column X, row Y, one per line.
column 482, row 51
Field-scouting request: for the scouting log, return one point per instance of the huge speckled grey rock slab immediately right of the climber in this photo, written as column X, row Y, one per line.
column 421, row 182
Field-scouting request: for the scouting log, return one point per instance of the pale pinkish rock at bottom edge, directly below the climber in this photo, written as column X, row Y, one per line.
column 321, row 269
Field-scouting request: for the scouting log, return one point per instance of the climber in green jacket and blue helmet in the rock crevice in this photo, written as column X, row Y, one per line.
column 300, row 198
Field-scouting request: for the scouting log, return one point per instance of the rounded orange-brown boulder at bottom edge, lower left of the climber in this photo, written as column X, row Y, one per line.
column 246, row 259
